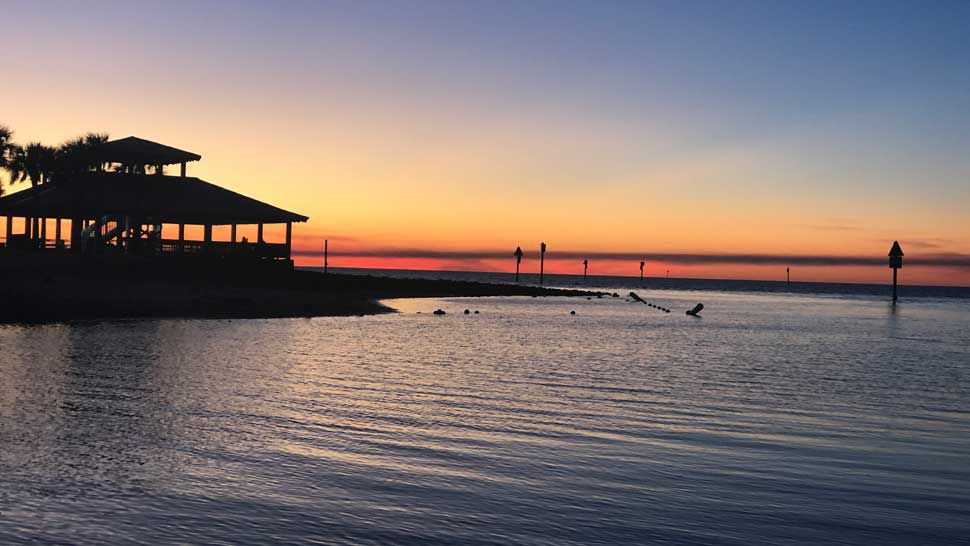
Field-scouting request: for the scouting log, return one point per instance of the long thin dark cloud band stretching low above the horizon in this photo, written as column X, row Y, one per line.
column 937, row 260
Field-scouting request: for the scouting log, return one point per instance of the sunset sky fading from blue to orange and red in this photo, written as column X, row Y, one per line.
column 709, row 139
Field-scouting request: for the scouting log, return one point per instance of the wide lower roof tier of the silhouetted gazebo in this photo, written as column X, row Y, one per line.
column 154, row 198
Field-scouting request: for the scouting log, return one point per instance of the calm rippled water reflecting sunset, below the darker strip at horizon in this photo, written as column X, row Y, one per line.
column 774, row 419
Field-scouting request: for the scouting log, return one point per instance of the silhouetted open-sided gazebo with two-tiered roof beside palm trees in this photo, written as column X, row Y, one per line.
column 119, row 204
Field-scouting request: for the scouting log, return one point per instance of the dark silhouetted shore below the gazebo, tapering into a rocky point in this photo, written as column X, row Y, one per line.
column 108, row 293
